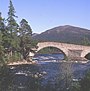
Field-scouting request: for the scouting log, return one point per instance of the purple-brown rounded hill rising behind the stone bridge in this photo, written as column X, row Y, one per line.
column 67, row 34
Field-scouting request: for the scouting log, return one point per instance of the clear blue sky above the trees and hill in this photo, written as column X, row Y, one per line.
column 46, row 14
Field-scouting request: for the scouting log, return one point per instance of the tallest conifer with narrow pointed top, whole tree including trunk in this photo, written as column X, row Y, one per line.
column 12, row 41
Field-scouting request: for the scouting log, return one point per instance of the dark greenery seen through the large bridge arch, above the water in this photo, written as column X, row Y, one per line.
column 50, row 50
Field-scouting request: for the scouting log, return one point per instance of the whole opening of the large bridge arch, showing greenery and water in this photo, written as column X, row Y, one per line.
column 50, row 53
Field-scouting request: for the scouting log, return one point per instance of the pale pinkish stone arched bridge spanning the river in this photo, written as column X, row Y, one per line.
column 70, row 50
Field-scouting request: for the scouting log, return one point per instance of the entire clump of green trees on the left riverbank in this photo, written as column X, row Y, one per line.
column 15, row 40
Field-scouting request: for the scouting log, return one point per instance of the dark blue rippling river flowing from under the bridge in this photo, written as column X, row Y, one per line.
column 44, row 76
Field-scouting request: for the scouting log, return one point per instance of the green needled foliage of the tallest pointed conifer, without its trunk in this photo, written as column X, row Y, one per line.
column 12, row 28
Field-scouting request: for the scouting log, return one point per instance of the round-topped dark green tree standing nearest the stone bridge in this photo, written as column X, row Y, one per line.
column 26, row 42
